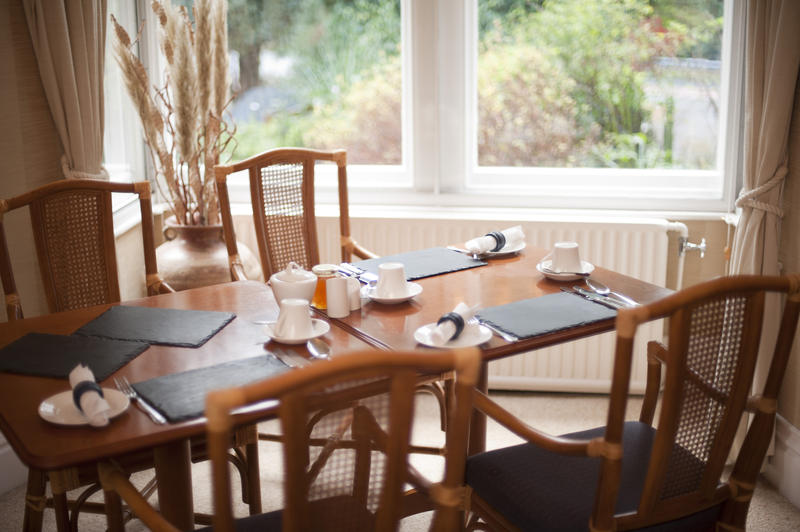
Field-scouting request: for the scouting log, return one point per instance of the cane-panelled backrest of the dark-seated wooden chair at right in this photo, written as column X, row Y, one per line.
column 710, row 360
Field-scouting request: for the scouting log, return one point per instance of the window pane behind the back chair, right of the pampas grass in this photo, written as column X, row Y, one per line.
column 320, row 74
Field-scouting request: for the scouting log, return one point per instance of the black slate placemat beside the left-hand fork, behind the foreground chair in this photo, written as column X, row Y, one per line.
column 181, row 396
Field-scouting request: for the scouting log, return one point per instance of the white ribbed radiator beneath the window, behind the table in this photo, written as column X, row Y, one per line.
column 633, row 247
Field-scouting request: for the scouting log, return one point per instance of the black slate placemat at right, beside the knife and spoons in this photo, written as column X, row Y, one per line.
column 541, row 315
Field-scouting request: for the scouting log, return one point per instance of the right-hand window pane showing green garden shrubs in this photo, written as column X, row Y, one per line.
column 599, row 84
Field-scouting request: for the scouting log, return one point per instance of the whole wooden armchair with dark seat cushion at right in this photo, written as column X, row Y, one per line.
column 630, row 475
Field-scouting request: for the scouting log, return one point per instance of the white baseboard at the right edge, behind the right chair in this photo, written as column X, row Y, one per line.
column 783, row 469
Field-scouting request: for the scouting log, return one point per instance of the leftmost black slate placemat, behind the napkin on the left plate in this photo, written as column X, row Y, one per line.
column 53, row 355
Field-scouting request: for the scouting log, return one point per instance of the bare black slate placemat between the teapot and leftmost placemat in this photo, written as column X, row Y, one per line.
column 164, row 326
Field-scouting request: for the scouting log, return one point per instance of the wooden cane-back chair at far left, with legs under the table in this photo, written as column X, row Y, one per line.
column 73, row 231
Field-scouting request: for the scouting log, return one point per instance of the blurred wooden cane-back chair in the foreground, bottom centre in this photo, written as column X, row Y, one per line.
column 347, row 426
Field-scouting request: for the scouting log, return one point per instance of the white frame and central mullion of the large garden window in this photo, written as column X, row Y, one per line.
column 439, row 121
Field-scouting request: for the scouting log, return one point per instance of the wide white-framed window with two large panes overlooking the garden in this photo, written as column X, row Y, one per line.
column 616, row 104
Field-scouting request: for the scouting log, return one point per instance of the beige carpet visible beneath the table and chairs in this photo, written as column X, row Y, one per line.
column 554, row 413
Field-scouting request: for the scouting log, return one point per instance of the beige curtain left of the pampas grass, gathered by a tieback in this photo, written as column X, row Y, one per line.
column 69, row 41
